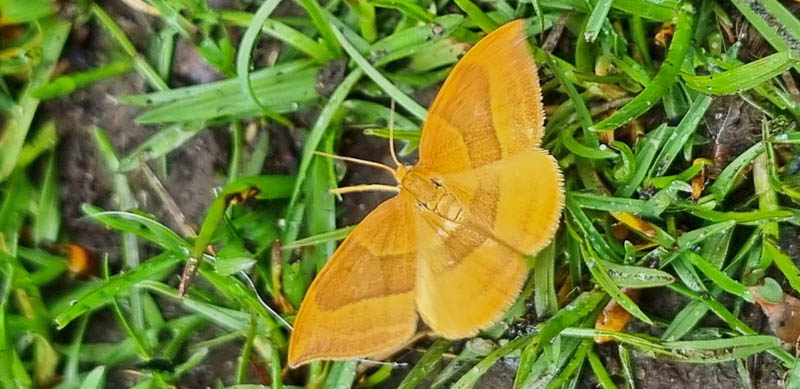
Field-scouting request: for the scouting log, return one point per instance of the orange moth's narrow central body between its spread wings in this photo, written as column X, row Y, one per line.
column 431, row 195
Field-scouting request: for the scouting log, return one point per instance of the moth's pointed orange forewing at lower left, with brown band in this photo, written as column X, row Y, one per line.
column 362, row 302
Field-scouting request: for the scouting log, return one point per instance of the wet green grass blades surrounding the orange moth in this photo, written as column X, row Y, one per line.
column 628, row 88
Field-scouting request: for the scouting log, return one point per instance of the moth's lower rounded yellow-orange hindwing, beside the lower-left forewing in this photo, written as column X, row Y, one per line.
column 466, row 279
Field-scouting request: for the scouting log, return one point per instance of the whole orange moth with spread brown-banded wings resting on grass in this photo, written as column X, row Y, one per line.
column 450, row 247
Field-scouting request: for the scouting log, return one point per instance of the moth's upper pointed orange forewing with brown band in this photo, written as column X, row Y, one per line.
column 489, row 107
